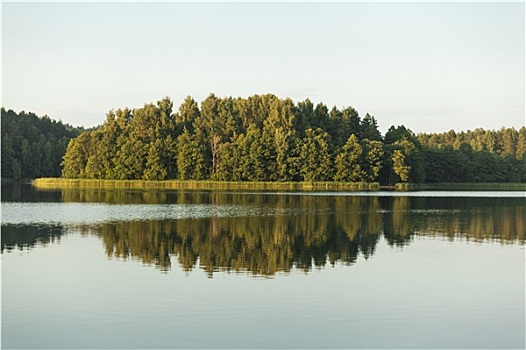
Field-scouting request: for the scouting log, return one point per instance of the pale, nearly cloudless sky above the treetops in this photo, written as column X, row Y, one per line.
column 432, row 67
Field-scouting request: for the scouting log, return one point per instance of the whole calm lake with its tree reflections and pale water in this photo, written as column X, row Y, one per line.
column 245, row 269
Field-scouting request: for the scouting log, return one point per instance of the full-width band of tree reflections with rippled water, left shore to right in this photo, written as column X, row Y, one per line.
column 269, row 233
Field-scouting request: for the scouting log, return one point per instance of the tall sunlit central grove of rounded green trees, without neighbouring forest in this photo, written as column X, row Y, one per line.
column 261, row 138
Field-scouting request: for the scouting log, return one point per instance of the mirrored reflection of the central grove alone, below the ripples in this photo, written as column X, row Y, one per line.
column 261, row 245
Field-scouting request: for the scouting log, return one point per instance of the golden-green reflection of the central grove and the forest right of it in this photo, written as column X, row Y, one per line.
column 329, row 230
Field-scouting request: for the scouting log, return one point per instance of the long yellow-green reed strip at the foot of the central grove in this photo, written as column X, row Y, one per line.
column 202, row 185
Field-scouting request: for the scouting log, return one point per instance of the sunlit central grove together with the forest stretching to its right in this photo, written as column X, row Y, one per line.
column 265, row 138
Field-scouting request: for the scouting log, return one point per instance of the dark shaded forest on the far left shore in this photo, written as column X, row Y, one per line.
column 33, row 146
